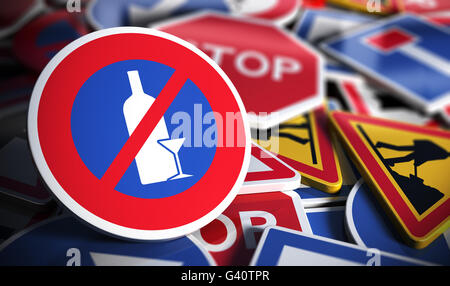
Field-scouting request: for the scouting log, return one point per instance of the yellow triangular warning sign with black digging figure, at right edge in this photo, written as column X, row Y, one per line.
column 407, row 166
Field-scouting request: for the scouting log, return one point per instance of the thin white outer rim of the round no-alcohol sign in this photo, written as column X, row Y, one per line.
column 80, row 211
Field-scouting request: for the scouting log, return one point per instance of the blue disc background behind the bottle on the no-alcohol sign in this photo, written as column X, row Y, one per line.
column 99, row 130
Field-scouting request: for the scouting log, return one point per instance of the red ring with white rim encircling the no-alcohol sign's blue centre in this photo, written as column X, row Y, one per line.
column 190, row 204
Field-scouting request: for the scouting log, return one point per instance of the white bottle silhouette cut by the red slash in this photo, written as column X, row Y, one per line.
column 154, row 162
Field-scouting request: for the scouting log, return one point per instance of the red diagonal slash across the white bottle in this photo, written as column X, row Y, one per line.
column 144, row 129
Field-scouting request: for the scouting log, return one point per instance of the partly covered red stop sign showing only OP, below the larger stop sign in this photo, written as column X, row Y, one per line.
column 233, row 236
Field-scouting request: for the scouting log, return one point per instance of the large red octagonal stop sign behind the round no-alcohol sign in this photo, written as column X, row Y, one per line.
column 277, row 75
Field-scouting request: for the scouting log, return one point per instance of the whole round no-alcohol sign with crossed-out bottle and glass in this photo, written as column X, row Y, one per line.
column 109, row 126
